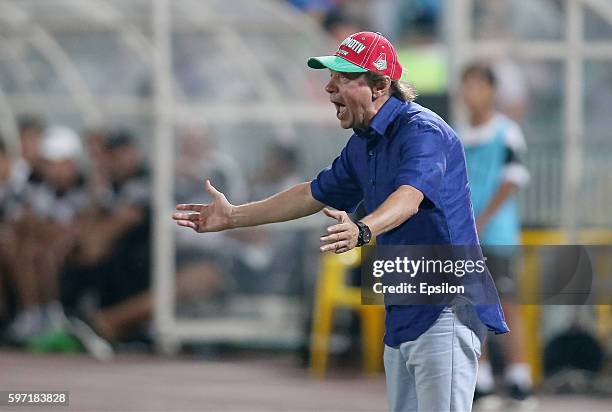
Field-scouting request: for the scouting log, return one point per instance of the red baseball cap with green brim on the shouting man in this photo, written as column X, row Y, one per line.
column 362, row 52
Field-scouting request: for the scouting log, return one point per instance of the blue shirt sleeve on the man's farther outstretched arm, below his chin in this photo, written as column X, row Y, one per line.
column 337, row 185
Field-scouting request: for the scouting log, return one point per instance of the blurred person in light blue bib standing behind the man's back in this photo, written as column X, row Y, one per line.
column 494, row 148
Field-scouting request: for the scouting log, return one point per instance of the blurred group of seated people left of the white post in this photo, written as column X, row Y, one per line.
column 74, row 218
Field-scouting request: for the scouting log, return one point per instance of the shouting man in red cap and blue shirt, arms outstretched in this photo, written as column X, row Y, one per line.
column 408, row 167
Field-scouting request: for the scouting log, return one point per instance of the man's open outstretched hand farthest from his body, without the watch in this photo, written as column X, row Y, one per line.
column 211, row 217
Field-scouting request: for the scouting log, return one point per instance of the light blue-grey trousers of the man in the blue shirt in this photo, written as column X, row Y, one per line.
column 437, row 371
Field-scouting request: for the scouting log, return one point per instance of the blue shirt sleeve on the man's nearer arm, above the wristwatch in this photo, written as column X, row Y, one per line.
column 423, row 161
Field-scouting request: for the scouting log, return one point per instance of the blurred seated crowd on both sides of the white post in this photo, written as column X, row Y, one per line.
column 75, row 234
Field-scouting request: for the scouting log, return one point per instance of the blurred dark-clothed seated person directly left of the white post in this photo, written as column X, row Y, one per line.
column 113, row 258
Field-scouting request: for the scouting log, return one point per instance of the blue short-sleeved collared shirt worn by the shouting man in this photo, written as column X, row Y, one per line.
column 407, row 144
